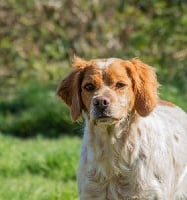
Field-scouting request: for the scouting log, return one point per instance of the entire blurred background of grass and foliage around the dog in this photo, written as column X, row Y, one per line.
column 37, row 41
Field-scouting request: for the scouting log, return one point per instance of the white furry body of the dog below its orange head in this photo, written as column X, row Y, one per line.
column 145, row 158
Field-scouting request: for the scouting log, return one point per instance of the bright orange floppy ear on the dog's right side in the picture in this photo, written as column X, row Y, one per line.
column 145, row 86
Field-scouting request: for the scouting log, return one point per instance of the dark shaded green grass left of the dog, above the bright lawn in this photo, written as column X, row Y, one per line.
column 34, row 109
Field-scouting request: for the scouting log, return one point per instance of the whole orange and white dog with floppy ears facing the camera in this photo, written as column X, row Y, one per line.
column 134, row 144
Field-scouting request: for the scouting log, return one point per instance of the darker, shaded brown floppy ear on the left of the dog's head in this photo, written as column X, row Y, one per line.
column 69, row 89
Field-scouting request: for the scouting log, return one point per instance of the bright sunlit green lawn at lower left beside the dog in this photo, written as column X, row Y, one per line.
column 38, row 169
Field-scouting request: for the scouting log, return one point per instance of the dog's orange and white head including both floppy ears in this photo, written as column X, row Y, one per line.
column 109, row 89
